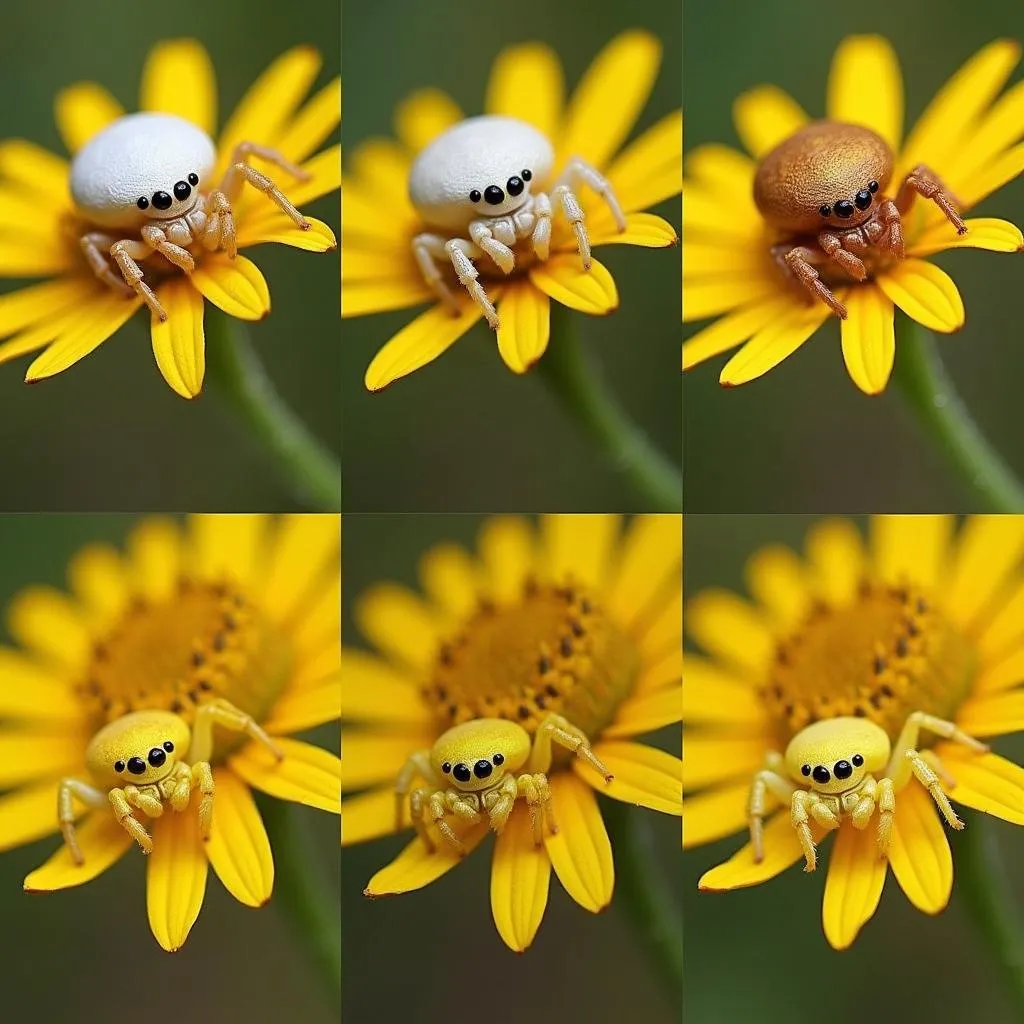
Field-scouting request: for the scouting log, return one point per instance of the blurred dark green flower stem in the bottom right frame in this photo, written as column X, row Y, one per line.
column 984, row 886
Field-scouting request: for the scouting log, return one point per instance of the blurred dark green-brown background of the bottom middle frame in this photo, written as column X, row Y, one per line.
column 416, row 957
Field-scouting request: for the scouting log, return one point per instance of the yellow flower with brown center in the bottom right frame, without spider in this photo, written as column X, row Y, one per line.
column 927, row 619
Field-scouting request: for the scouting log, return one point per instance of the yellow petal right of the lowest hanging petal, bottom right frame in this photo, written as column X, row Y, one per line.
column 920, row 852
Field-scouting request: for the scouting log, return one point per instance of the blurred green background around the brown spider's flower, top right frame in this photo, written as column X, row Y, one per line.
column 804, row 438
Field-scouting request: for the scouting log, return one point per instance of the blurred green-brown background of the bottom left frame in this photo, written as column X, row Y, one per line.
column 88, row 954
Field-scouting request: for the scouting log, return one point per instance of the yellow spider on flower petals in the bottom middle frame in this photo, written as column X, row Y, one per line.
column 472, row 772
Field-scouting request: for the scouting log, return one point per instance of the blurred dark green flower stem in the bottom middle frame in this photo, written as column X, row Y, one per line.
column 645, row 891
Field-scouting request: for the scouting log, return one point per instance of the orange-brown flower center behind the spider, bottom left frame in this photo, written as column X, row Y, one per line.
column 206, row 642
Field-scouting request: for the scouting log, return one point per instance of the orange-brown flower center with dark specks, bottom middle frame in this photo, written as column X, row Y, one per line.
column 556, row 651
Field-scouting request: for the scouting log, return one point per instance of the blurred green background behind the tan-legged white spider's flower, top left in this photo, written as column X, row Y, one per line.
column 109, row 434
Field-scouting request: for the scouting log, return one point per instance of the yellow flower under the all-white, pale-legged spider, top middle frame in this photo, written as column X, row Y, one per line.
column 379, row 270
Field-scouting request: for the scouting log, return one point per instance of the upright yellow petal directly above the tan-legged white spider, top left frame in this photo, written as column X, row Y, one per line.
column 179, row 79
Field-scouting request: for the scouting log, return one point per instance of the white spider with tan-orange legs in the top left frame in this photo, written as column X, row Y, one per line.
column 150, row 176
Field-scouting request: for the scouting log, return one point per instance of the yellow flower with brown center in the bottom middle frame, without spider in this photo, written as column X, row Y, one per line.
column 575, row 620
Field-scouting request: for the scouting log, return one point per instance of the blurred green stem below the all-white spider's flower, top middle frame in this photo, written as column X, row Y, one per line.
column 598, row 412
